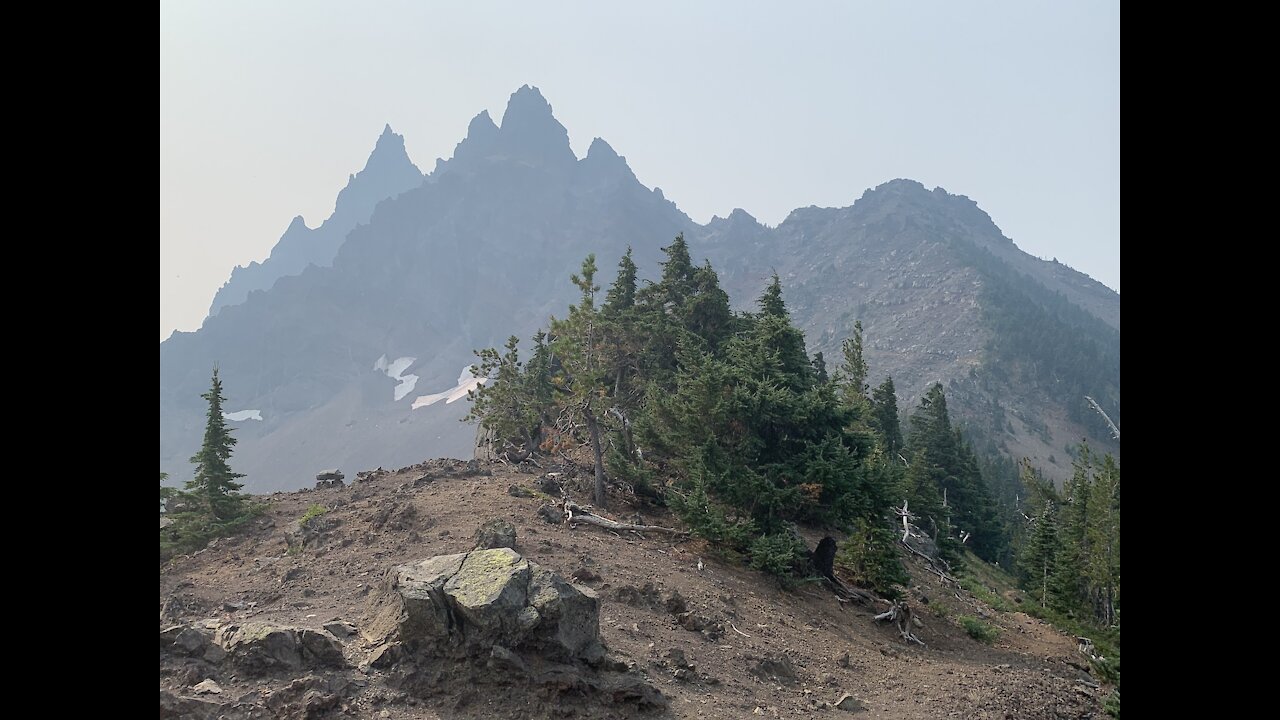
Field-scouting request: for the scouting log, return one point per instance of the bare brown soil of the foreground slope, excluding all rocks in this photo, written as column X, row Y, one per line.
column 1030, row 672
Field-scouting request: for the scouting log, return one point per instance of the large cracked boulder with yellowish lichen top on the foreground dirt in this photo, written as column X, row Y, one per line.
column 490, row 618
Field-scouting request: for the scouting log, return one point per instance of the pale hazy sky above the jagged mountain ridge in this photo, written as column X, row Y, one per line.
column 266, row 110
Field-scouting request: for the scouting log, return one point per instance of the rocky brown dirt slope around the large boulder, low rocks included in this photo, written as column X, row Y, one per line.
column 715, row 639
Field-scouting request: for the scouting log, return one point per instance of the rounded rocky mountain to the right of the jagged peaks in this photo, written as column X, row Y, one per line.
column 944, row 298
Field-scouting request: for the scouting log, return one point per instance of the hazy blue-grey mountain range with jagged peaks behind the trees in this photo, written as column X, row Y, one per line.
column 385, row 303
